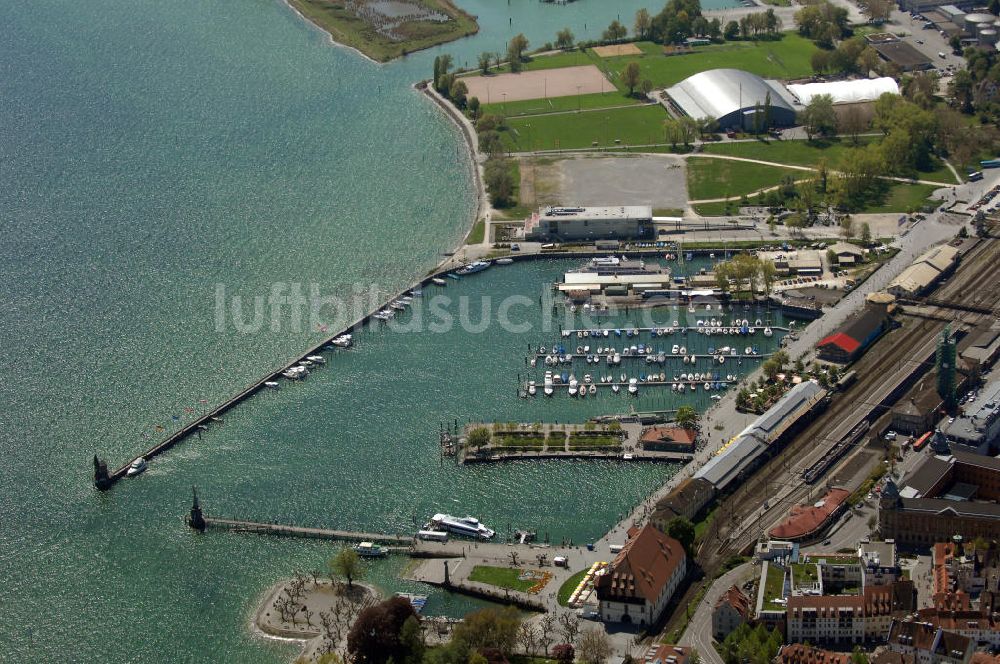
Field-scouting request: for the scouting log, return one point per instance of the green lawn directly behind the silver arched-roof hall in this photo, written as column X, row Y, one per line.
column 786, row 58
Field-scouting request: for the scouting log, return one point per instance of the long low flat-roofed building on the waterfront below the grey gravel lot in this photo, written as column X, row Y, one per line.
column 590, row 223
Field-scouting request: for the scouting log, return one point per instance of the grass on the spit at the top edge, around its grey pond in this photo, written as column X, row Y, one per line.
column 347, row 28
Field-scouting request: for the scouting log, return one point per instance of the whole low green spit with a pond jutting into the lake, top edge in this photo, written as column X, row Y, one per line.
column 388, row 29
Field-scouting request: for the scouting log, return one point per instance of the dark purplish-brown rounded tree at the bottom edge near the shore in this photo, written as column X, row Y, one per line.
column 375, row 637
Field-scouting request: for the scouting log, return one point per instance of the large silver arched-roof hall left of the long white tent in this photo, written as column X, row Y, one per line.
column 732, row 97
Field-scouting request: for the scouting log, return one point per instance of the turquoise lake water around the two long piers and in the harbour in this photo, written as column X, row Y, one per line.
column 152, row 151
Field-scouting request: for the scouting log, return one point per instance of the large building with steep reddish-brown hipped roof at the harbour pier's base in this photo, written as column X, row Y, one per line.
column 642, row 578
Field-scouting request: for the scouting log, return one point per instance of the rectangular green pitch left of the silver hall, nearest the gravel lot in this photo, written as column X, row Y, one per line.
column 629, row 126
